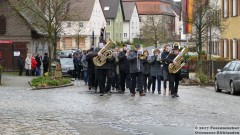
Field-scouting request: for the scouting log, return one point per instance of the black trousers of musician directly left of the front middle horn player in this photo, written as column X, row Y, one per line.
column 125, row 78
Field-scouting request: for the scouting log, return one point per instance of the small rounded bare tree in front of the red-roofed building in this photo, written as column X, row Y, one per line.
column 156, row 30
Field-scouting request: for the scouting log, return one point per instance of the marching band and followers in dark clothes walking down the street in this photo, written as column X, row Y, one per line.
column 129, row 69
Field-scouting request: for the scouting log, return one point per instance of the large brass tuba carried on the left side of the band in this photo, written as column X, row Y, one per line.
column 106, row 53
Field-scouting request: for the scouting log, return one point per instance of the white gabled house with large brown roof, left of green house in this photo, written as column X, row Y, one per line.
column 85, row 18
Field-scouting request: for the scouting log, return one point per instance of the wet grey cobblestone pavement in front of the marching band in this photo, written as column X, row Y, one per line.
column 77, row 111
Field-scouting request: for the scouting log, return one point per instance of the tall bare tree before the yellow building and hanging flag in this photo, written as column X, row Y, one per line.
column 206, row 17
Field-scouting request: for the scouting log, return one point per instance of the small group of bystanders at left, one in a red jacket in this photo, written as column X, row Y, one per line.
column 33, row 64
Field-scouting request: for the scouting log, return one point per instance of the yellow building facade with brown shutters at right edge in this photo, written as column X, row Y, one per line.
column 229, row 46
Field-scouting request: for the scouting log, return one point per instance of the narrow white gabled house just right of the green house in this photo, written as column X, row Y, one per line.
column 131, row 28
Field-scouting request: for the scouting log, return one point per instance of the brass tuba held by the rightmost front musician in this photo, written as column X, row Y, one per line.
column 180, row 59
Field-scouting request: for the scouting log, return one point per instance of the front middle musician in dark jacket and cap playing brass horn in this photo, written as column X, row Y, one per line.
column 136, row 70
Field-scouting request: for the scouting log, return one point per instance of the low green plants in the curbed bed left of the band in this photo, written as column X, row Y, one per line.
column 48, row 81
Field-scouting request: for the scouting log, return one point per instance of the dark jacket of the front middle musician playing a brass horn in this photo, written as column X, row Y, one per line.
column 133, row 61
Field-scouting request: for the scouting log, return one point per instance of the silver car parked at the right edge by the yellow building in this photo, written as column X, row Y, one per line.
column 228, row 78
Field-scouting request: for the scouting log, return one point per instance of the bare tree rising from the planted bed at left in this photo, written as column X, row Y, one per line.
column 46, row 15
